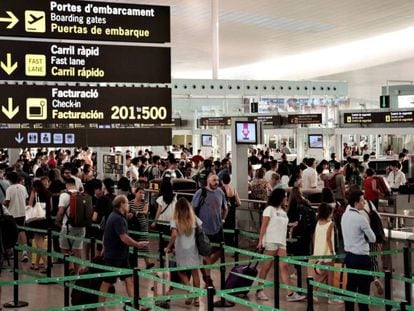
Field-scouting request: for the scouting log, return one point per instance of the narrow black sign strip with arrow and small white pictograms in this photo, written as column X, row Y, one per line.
column 22, row 138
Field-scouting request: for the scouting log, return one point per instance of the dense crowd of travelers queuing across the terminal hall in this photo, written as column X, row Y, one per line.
column 290, row 225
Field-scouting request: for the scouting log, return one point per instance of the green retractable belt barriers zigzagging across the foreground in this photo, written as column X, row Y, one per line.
column 192, row 292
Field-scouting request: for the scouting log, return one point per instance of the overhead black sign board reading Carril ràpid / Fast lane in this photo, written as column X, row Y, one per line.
column 48, row 61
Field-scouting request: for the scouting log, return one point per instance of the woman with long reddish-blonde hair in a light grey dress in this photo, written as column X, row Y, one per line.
column 183, row 225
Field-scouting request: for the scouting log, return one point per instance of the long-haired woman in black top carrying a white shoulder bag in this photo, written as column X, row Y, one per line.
column 39, row 195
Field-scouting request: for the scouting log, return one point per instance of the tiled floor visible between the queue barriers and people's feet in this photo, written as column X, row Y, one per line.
column 46, row 296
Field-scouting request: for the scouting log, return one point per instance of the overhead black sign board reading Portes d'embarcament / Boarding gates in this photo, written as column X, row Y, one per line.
column 85, row 20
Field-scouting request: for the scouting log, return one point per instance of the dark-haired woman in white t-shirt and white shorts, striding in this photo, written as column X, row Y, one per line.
column 272, row 238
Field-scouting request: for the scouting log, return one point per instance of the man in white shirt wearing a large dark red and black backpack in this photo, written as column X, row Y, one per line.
column 74, row 214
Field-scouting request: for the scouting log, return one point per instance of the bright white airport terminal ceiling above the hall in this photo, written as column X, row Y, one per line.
column 362, row 42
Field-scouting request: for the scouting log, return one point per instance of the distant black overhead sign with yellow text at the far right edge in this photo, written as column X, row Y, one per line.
column 379, row 117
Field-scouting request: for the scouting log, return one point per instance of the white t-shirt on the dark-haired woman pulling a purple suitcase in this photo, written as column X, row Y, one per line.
column 277, row 228
